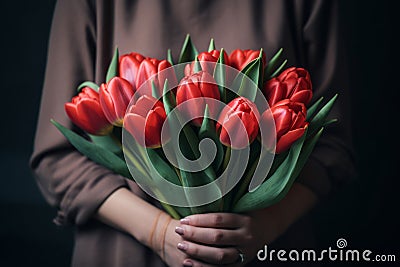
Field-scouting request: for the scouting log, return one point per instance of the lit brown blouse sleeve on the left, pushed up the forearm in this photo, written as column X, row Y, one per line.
column 67, row 179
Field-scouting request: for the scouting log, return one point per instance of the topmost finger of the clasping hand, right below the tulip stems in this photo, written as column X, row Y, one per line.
column 216, row 220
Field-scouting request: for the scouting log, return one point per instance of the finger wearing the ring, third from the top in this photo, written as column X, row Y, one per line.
column 210, row 255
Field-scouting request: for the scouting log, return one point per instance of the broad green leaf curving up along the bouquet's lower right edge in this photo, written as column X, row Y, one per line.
column 277, row 186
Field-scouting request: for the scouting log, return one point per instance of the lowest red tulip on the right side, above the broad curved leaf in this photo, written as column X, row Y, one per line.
column 290, row 124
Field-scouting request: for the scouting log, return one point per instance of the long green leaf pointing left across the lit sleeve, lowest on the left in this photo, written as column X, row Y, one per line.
column 95, row 152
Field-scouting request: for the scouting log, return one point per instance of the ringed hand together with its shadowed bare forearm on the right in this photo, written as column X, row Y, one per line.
column 217, row 239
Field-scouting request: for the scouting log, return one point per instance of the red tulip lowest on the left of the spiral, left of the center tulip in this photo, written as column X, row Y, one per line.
column 144, row 120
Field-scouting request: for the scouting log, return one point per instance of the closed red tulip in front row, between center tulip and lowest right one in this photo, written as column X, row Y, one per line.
column 238, row 123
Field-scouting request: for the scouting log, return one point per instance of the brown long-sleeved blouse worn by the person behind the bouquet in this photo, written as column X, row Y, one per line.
column 83, row 36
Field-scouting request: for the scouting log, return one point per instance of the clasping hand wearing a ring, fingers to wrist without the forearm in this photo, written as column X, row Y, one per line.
column 221, row 238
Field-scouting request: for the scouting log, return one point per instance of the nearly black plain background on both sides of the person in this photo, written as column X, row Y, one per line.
column 365, row 213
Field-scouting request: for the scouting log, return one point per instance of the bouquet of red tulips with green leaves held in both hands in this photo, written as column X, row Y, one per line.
column 212, row 132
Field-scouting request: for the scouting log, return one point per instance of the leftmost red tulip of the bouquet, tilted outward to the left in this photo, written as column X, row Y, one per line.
column 85, row 111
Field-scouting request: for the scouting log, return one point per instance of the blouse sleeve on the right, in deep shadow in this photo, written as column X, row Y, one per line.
column 332, row 163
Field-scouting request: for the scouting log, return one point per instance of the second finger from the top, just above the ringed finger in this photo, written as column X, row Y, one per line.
column 210, row 236
